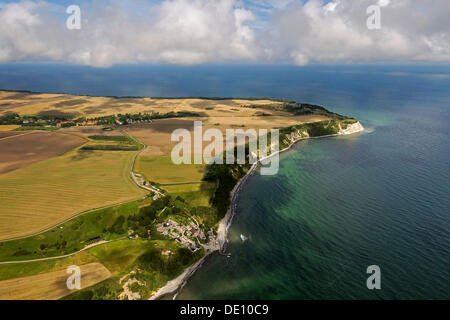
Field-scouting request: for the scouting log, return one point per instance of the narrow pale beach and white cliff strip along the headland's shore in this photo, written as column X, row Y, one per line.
column 224, row 224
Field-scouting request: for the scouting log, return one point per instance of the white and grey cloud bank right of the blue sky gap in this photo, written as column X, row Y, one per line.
column 336, row 32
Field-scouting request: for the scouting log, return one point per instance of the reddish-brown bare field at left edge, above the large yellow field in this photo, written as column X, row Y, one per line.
column 21, row 150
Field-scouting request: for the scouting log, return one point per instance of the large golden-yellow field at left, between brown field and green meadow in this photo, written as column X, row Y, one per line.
column 44, row 194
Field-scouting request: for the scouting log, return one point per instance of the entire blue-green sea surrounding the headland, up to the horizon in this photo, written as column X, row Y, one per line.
column 337, row 205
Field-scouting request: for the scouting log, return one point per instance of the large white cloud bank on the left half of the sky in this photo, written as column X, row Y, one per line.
column 174, row 31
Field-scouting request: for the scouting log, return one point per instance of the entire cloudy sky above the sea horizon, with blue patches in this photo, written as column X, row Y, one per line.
column 191, row 32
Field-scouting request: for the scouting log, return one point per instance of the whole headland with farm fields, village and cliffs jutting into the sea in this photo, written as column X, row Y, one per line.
column 89, row 181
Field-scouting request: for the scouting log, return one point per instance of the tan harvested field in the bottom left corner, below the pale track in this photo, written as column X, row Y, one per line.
column 51, row 285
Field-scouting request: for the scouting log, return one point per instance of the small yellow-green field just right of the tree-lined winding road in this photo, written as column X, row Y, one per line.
column 162, row 170
